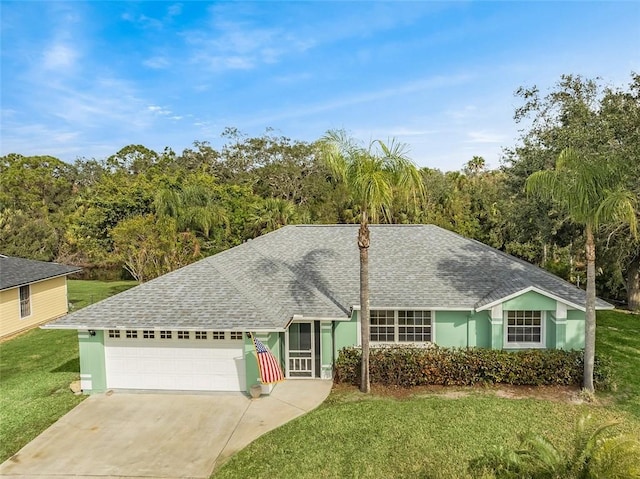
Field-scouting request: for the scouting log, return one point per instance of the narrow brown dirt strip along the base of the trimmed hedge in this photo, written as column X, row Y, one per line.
column 563, row 394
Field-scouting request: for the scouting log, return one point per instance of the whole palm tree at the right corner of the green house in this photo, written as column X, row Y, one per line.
column 592, row 193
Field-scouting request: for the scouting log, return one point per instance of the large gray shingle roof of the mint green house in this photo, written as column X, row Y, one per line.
column 313, row 271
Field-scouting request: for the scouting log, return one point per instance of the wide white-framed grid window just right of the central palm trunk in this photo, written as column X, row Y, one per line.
column 388, row 326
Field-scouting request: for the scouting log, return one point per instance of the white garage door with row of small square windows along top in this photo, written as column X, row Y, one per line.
column 144, row 360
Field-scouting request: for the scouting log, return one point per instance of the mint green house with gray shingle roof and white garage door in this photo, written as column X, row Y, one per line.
column 298, row 289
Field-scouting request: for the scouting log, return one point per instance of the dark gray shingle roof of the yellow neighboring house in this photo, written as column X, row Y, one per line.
column 16, row 272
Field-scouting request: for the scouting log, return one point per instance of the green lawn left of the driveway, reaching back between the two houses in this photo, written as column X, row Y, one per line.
column 36, row 369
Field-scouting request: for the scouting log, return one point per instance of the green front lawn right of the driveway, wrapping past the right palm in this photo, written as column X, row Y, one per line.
column 353, row 435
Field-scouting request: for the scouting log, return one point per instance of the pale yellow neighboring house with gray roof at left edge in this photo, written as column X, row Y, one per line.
column 31, row 293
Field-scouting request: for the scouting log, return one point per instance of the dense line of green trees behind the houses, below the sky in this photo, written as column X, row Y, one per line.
column 143, row 213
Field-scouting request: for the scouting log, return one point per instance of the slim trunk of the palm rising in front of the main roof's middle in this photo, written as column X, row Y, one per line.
column 363, row 243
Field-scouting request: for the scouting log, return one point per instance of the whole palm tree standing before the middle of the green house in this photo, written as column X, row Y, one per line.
column 373, row 175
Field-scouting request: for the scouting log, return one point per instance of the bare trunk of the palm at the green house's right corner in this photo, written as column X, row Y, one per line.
column 590, row 312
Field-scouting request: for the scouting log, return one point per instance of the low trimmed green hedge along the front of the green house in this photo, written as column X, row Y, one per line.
column 409, row 366
